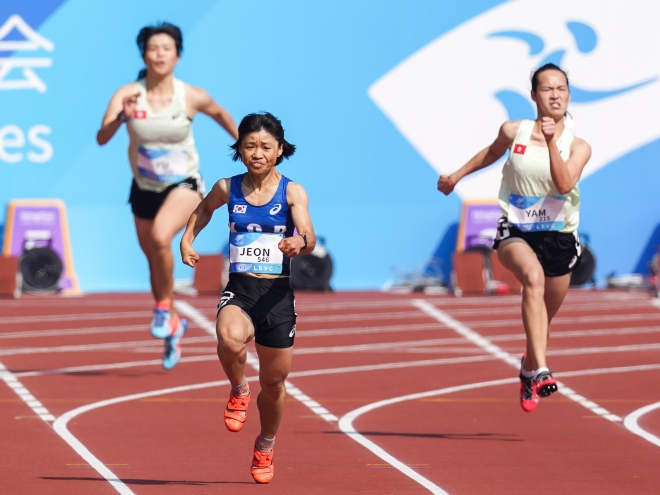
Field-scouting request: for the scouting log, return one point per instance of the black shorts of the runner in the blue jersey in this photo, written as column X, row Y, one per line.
column 270, row 304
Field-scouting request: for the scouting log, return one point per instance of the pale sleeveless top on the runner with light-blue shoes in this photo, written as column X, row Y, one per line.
column 162, row 148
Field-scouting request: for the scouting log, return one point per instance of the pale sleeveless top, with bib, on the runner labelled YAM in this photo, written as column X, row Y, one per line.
column 528, row 197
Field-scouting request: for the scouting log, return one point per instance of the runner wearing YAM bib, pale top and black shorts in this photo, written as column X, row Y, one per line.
column 537, row 236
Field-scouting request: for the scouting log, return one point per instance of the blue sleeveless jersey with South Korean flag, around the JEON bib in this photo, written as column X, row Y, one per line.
column 273, row 217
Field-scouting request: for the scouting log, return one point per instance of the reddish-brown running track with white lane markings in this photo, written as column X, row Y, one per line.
column 388, row 394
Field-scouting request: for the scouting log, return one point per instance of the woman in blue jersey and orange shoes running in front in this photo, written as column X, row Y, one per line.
column 258, row 303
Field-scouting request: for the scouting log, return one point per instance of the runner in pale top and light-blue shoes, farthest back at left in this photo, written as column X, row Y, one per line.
column 158, row 110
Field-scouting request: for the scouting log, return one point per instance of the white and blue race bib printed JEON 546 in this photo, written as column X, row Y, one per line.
column 255, row 252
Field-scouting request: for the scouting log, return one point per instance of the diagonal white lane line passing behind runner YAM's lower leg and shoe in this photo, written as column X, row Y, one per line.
column 488, row 346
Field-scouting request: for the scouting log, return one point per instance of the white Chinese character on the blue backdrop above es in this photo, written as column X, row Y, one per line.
column 33, row 42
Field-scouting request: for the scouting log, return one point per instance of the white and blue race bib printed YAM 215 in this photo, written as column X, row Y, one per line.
column 536, row 213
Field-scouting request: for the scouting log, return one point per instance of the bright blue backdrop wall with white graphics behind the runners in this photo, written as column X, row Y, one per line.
column 336, row 73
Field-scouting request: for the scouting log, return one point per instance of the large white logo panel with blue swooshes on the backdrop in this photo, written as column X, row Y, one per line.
column 449, row 98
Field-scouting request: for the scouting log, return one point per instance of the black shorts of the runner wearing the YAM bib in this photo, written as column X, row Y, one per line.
column 558, row 252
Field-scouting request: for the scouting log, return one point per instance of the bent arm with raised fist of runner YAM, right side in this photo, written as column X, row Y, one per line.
column 565, row 174
